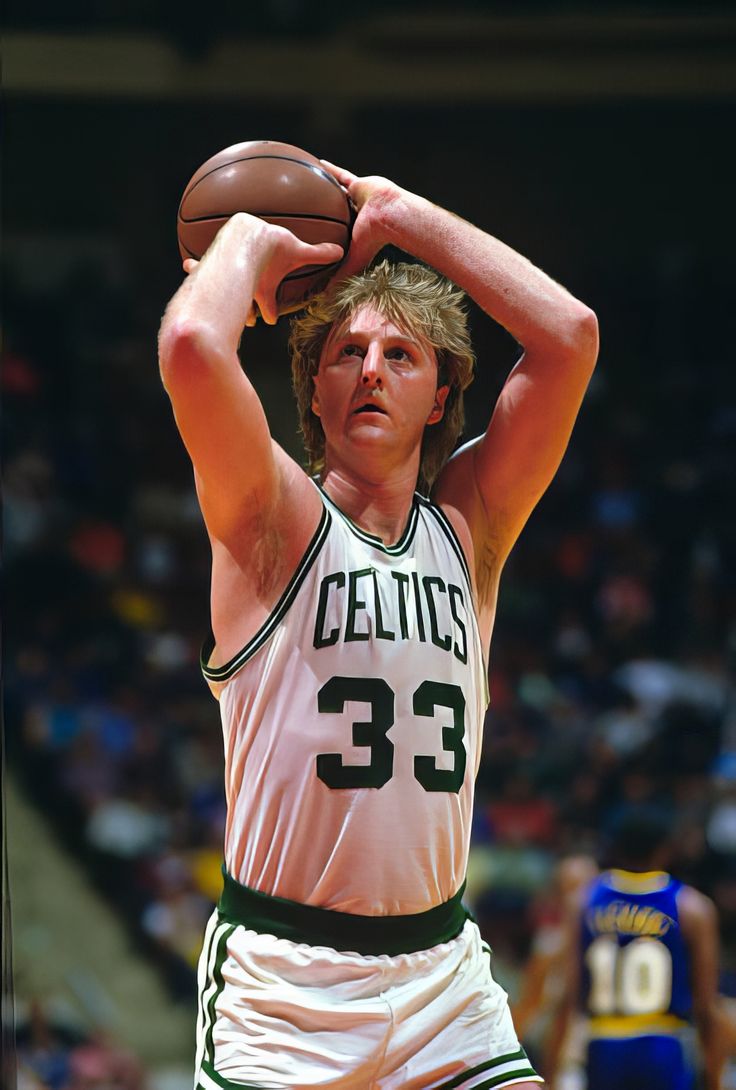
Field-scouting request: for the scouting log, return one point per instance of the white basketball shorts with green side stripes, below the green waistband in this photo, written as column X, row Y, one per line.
column 274, row 1014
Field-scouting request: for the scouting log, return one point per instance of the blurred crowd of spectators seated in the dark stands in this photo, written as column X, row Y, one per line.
column 611, row 665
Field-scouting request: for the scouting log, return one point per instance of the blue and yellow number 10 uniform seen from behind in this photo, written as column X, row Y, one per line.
column 636, row 984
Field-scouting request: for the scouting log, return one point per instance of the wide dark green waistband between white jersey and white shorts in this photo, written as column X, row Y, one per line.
column 342, row 931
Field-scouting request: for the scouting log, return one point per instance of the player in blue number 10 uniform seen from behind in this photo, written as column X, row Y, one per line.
column 643, row 958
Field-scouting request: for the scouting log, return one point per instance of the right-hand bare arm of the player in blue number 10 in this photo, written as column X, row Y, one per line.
column 701, row 930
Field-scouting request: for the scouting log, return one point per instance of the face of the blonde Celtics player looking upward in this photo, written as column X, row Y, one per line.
column 377, row 389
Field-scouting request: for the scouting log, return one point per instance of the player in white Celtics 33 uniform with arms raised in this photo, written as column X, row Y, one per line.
column 352, row 622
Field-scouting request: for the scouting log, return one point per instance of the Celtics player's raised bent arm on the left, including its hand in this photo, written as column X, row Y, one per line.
column 218, row 410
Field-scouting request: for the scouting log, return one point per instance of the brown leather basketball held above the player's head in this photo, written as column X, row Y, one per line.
column 280, row 184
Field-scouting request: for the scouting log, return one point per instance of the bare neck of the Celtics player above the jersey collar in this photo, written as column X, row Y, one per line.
column 379, row 507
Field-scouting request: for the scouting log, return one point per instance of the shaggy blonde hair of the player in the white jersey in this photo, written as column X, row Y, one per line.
column 415, row 298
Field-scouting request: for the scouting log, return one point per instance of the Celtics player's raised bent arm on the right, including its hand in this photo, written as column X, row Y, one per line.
column 497, row 480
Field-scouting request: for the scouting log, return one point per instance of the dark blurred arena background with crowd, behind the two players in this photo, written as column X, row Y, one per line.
column 596, row 139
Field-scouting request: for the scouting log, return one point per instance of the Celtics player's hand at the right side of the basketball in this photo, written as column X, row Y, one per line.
column 373, row 198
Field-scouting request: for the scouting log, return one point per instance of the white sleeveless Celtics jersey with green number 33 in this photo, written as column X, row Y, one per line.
column 353, row 724
